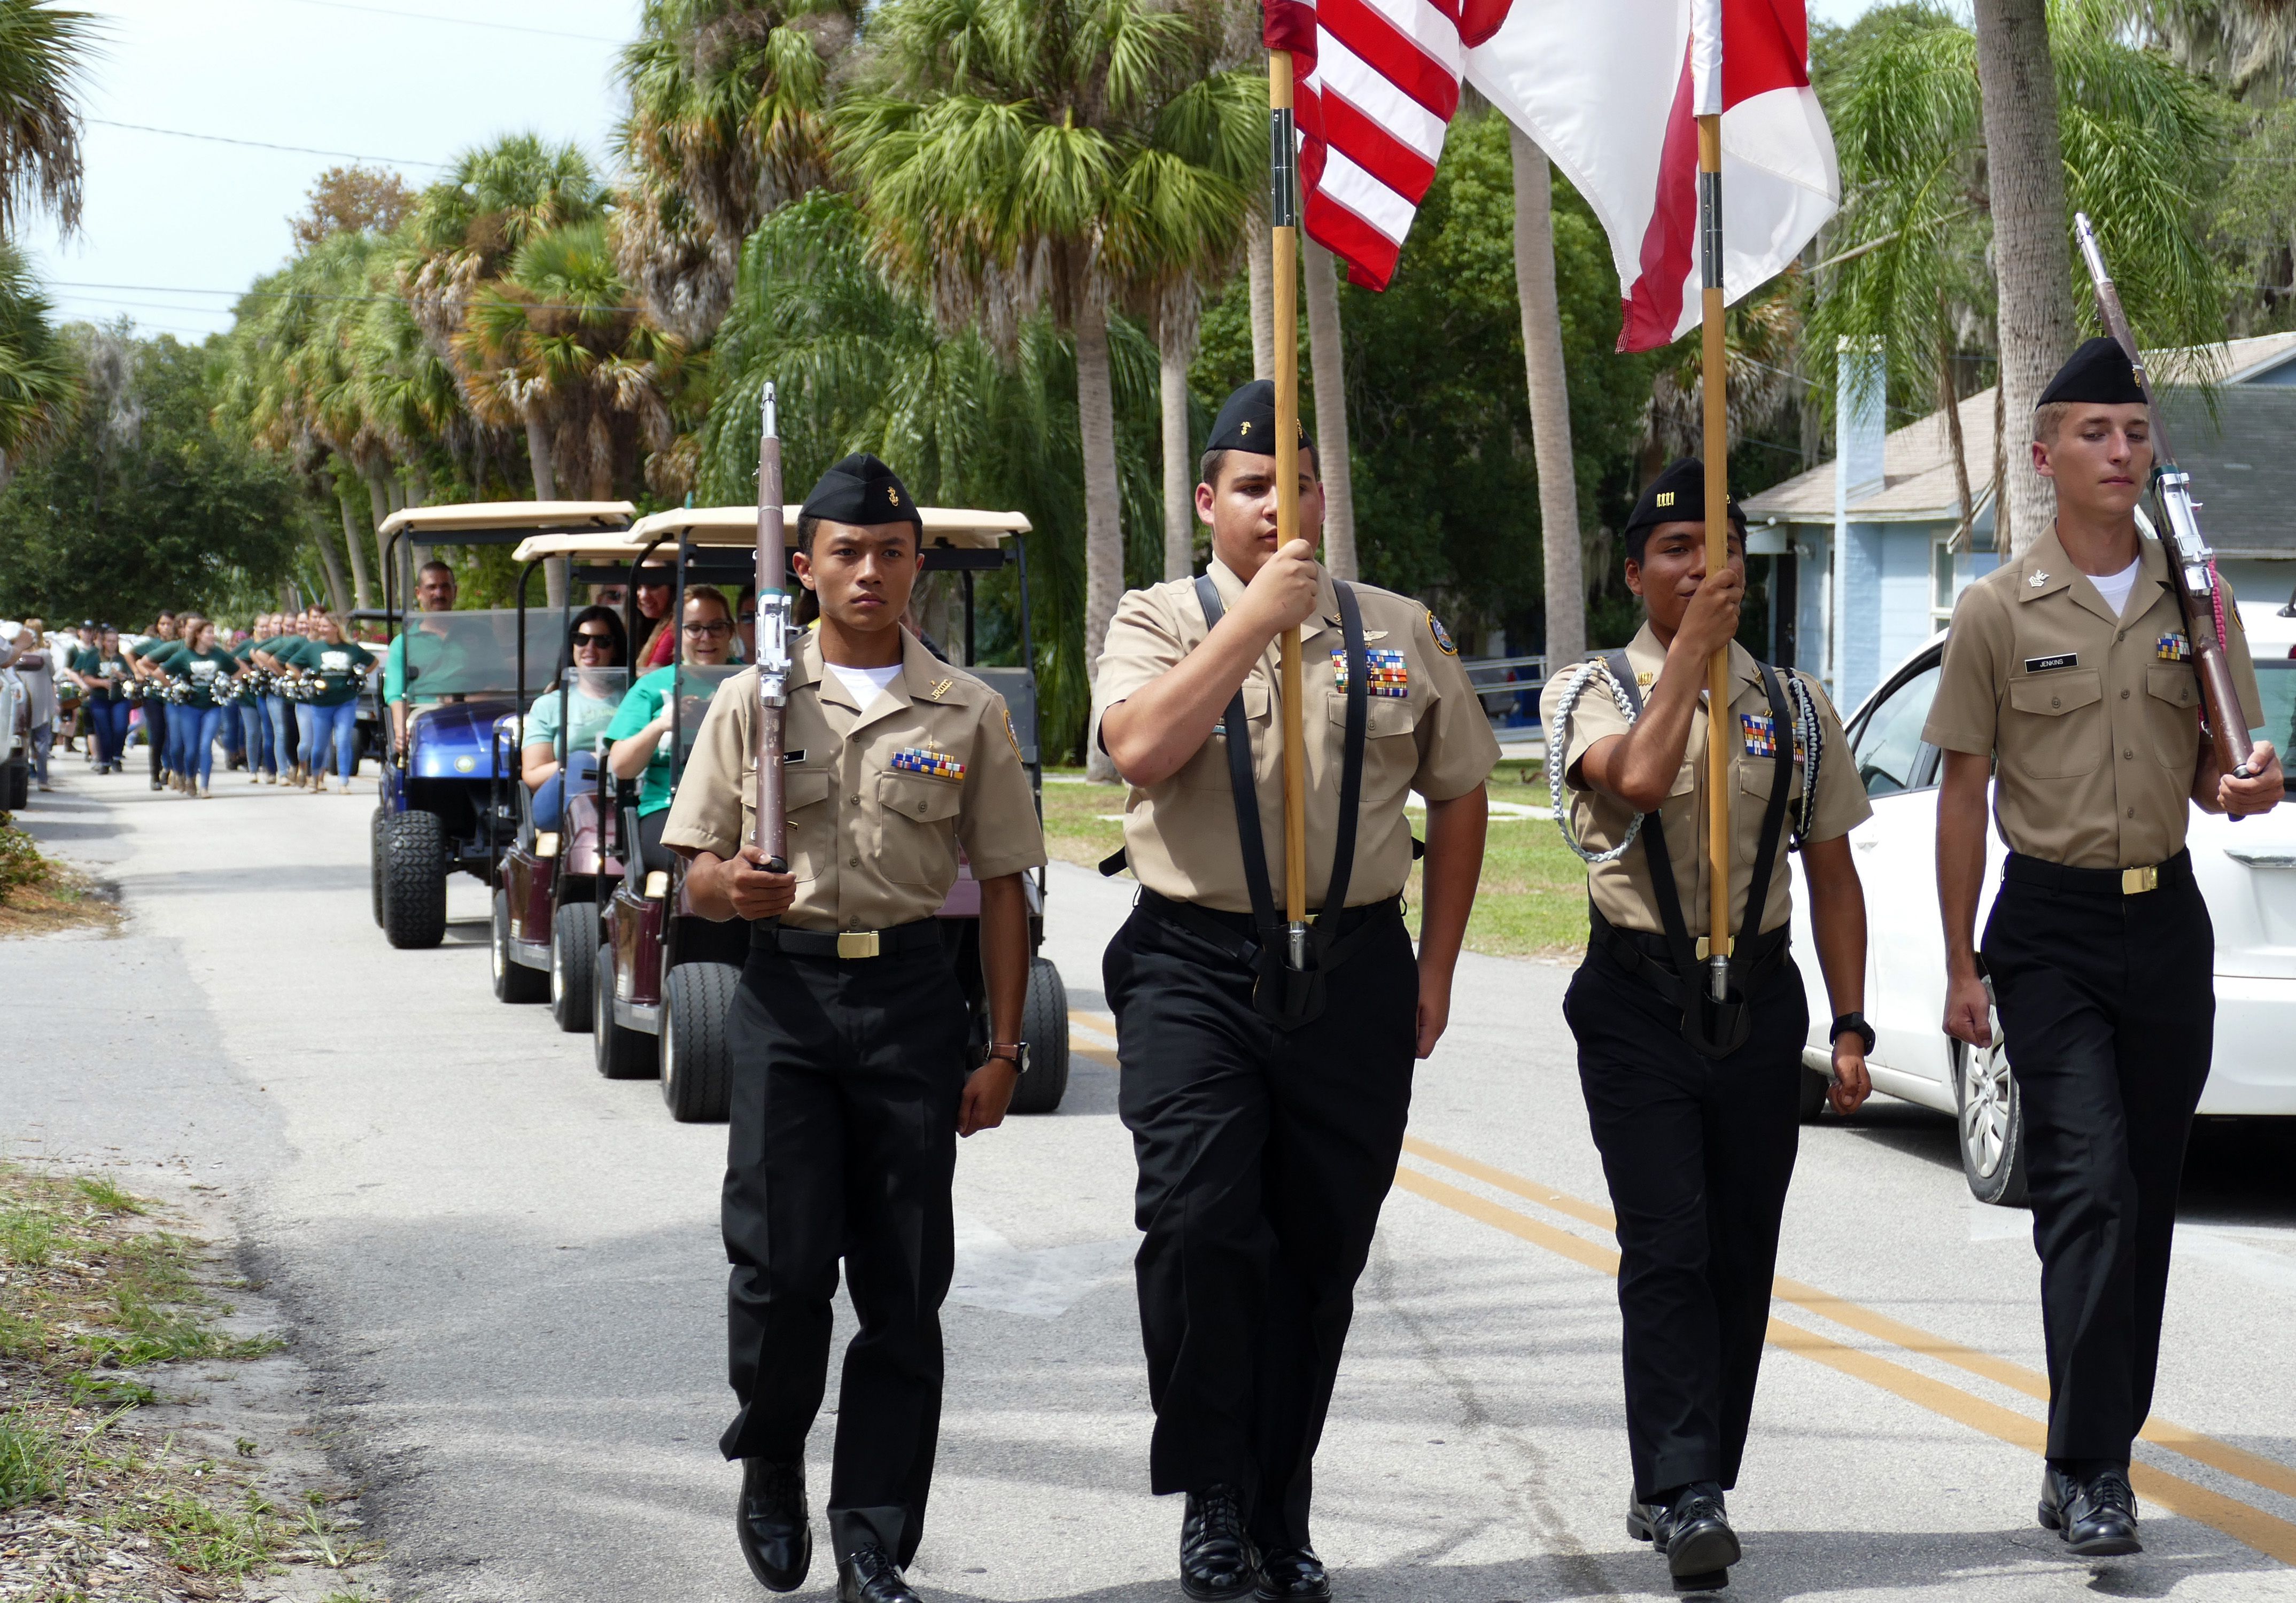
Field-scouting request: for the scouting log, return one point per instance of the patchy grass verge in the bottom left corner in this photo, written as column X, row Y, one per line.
column 95, row 1303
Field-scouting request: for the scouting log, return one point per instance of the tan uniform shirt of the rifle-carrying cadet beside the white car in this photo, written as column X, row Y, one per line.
column 2095, row 718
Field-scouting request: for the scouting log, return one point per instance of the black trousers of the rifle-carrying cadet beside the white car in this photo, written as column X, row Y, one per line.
column 2109, row 1009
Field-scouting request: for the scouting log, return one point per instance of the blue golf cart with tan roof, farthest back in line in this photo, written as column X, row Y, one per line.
column 447, row 793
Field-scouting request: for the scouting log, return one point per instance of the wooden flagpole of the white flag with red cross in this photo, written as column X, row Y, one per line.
column 1719, row 699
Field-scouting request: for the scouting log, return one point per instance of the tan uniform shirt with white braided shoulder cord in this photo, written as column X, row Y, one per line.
column 1622, row 888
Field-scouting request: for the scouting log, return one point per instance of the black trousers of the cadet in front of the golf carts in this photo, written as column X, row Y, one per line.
column 844, row 1143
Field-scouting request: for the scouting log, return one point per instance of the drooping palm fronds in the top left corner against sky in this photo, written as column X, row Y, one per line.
column 42, row 56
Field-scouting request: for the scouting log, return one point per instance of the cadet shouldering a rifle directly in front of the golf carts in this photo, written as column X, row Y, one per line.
column 851, row 1032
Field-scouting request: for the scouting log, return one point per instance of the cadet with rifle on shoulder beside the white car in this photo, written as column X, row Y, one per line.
column 2070, row 676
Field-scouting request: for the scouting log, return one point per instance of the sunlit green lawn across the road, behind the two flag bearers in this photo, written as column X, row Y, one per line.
column 1530, row 904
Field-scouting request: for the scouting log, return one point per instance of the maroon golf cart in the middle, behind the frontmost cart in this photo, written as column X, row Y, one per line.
column 552, row 881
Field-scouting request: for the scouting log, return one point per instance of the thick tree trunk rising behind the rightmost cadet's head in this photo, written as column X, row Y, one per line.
column 2031, row 235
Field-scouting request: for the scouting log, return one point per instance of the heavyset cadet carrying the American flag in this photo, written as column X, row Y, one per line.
column 1269, row 1115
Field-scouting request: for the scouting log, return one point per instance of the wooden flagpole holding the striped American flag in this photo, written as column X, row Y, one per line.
column 1285, row 249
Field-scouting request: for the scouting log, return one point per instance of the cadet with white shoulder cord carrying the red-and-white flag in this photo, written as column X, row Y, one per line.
column 1698, row 1115
